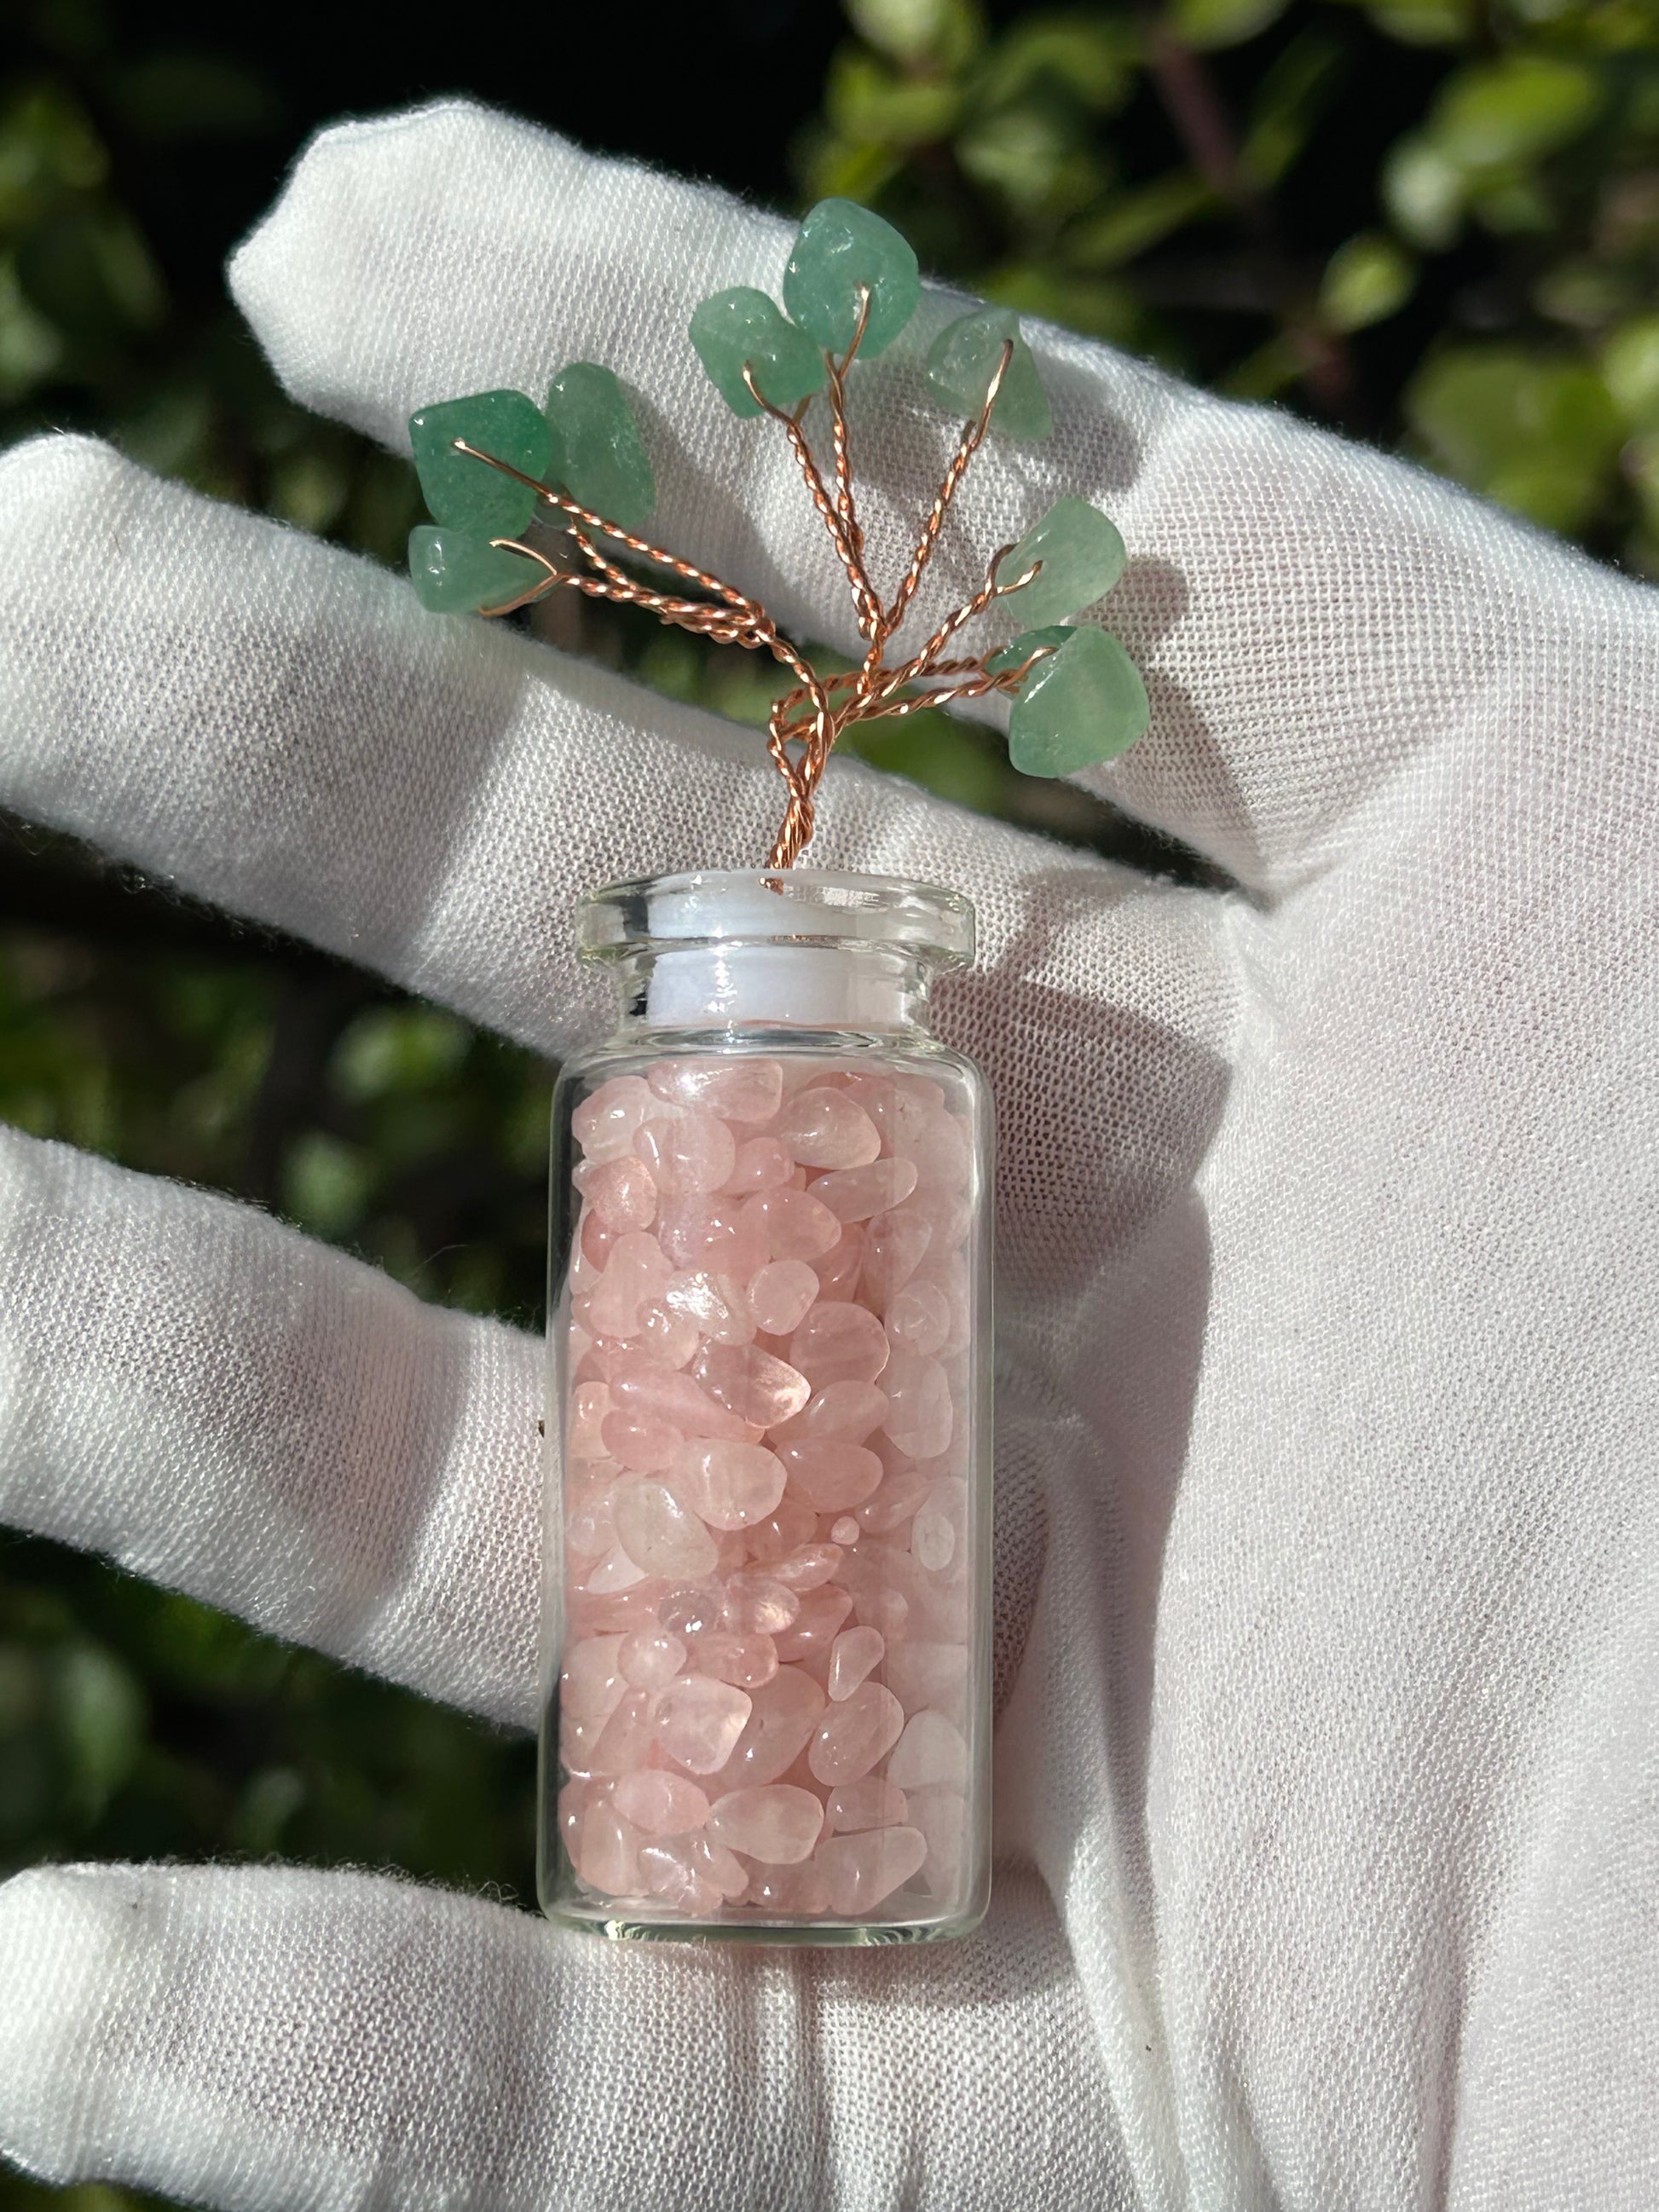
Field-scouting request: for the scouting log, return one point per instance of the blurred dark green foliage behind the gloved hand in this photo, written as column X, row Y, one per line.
column 1426, row 222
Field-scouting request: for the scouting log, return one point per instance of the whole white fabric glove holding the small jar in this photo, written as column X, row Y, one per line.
column 1328, row 1530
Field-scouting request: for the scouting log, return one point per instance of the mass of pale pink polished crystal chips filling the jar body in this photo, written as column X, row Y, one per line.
column 764, row 1693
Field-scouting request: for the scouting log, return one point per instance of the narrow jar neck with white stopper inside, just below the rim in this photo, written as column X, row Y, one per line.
column 791, row 985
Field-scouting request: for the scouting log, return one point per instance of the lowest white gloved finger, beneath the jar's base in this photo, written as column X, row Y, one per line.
column 280, row 2041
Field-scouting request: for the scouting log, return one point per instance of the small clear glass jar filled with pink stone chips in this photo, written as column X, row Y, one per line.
column 769, row 1576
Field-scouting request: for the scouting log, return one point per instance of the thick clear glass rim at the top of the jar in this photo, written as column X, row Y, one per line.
column 789, row 906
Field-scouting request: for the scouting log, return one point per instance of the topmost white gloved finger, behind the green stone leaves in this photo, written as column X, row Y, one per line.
column 1317, row 623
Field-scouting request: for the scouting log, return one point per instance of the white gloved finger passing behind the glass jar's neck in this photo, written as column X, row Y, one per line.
column 278, row 727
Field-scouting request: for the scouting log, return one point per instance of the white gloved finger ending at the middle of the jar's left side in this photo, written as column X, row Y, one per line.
column 242, row 1415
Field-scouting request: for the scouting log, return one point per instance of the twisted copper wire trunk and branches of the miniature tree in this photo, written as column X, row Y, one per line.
column 804, row 722
